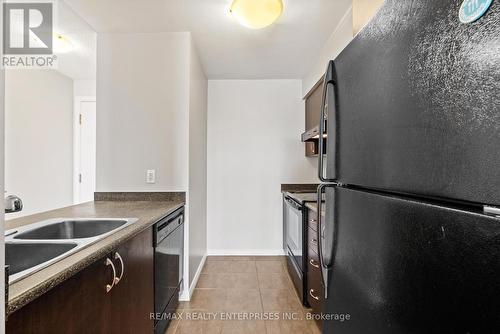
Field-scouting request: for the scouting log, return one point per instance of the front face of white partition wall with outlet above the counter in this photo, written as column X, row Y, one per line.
column 142, row 111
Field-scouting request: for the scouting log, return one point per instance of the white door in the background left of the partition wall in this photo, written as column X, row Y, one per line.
column 87, row 151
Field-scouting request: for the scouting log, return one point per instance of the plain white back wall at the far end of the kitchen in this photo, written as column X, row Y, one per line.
column 254, row 145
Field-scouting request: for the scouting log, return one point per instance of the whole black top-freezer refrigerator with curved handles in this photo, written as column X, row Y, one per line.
column 410, row 242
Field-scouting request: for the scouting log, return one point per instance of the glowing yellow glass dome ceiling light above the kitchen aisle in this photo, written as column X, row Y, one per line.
column 256, row 14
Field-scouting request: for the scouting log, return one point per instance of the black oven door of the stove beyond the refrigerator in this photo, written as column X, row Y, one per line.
column 293, row 222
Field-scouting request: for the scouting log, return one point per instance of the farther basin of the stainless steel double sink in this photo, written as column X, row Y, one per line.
column 71, row 229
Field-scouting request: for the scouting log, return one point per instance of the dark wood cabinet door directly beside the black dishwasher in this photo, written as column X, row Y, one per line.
column 132, row 298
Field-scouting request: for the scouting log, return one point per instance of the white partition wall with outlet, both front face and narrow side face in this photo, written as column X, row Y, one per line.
column 151, row 114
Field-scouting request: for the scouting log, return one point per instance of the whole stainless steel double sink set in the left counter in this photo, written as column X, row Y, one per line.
column 33, row 247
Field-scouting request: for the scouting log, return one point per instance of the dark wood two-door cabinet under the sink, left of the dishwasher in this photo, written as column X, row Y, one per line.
column 82, row 305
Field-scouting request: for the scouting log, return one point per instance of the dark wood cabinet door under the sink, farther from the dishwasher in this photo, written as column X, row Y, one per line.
column 78, row 305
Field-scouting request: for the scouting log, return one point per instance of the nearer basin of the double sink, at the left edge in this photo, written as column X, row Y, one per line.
column 22, row 256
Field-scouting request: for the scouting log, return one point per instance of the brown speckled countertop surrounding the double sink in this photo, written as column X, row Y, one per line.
column 31, row 287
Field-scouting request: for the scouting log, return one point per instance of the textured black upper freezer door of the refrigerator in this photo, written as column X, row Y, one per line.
column 418, row 104
